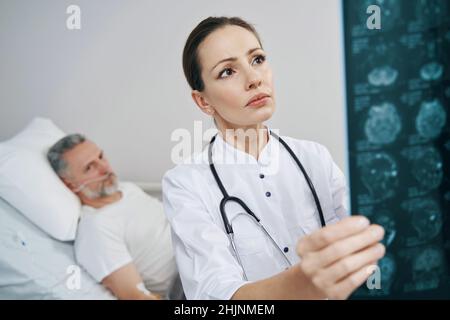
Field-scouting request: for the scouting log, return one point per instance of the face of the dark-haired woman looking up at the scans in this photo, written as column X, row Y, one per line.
column 238, row 80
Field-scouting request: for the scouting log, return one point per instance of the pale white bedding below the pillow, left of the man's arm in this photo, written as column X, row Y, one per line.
column 33, row 265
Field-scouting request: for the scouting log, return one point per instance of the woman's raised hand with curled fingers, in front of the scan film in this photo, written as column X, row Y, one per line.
column 336, row 259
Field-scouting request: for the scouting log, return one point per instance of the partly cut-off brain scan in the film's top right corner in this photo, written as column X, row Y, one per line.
column 430, row 13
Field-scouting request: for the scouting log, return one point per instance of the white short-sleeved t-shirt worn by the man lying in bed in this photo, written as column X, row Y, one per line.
column 133, row 229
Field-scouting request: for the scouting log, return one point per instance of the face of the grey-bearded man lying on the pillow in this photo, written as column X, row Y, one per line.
column 88, row 171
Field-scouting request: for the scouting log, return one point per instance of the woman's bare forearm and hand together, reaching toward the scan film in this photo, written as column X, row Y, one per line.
column 334, row 262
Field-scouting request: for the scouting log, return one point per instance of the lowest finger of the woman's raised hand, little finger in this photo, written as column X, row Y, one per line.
column 343, row 289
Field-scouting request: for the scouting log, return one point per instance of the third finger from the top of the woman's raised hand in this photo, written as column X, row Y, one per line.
column 345, row 267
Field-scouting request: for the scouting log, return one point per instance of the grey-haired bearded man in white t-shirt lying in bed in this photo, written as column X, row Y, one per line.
column 123, row 238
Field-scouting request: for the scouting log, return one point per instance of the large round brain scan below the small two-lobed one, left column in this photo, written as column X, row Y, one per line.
column 383, row 124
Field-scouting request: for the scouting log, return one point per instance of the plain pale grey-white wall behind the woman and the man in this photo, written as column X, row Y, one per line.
column 119, row 79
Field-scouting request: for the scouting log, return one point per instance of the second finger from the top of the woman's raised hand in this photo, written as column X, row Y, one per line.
column 313, row 261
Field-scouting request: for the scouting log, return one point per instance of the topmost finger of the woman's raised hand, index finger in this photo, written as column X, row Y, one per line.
column 330, row 234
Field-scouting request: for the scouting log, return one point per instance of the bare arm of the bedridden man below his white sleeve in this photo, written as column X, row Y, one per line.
column 126, row 284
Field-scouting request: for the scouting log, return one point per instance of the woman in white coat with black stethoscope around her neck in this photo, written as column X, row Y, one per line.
column 246, row 214
